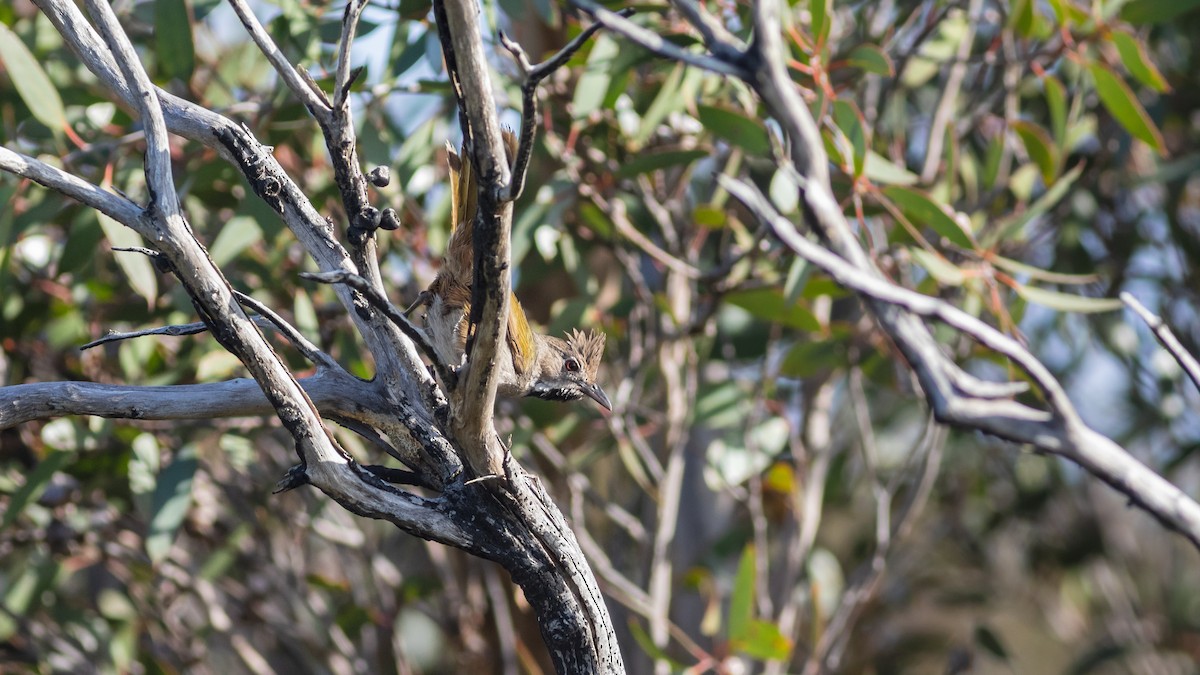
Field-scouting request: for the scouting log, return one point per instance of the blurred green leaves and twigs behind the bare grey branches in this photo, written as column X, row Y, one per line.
column 770, row 480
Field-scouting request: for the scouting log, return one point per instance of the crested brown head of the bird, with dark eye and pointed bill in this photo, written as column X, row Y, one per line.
column 567, row 369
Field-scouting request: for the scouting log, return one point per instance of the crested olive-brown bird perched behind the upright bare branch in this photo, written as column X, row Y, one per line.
column 533, row 365
